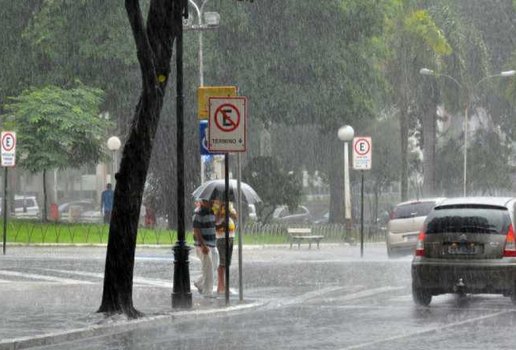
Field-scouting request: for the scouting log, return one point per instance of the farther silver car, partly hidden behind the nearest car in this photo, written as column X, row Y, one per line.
column 404, row 224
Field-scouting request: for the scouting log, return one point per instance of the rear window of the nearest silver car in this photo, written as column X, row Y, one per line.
column 476, row 219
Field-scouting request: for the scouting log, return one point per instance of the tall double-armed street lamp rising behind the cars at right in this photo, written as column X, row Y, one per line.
column 469, row 97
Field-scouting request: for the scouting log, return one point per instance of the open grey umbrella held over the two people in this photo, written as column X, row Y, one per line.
column 215, row 189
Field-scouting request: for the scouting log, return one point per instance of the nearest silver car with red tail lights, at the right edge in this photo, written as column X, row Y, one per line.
column 467, row 245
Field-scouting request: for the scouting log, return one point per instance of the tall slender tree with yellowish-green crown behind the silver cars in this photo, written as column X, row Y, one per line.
column 413, row 39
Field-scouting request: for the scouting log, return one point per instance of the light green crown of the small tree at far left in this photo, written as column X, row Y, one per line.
column 57, row 128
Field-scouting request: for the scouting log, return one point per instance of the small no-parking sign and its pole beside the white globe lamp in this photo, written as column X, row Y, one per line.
column 362, row 160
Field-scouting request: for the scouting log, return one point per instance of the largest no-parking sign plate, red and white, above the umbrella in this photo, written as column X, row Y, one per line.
column 227, row 124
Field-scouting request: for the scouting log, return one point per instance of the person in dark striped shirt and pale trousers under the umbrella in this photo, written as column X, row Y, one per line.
column 204, row 236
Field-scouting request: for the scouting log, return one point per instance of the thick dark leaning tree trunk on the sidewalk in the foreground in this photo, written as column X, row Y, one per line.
column 154, row 49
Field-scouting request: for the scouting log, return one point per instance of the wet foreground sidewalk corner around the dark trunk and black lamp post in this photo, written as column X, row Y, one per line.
column 67, row 312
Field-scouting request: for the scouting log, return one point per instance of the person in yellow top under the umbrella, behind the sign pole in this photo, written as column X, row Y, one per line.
column 224, row 254
